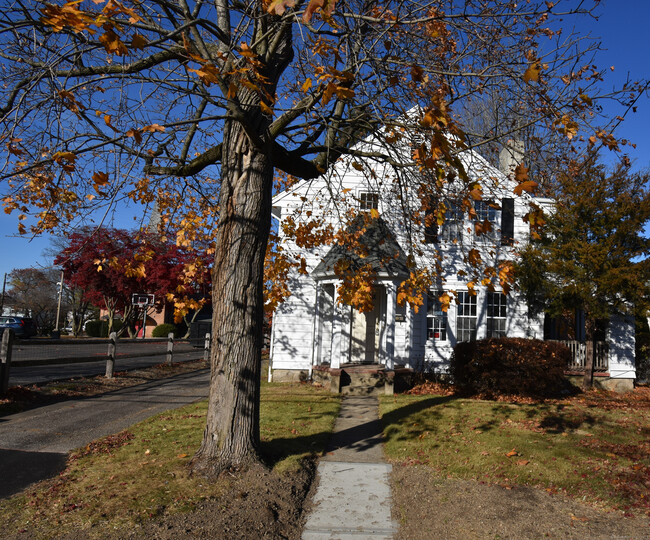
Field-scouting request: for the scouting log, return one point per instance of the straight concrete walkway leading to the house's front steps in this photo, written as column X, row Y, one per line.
column 352, row 500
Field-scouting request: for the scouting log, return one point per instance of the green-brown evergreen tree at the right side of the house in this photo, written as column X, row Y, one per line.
column 592, row 254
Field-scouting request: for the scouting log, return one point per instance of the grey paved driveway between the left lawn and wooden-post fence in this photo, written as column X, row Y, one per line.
column 34, row 444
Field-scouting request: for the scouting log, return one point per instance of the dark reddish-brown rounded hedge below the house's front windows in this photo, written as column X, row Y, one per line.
column 518, row 366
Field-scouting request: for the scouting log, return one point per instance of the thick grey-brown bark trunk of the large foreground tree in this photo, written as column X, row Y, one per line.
column 231, row 437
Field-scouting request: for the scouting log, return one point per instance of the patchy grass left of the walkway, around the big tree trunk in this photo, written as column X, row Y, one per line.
column 141, row 473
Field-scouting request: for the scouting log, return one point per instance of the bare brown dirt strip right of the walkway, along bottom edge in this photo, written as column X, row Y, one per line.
column 428, row 507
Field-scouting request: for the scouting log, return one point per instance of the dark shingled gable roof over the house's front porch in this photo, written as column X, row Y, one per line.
column 384, row 254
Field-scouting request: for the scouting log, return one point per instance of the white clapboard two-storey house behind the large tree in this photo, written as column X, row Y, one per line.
column 312, row 330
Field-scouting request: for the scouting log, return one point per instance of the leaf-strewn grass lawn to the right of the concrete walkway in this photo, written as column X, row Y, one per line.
column 594, row 447
